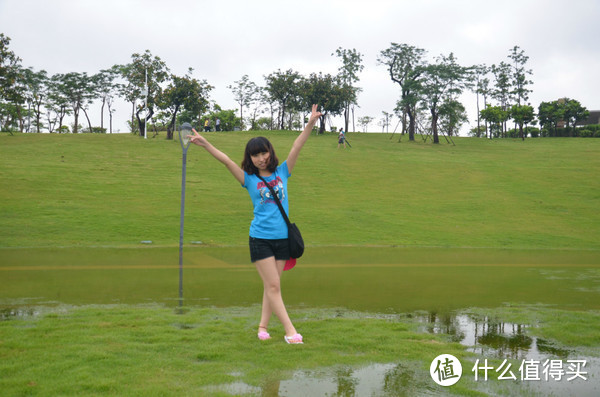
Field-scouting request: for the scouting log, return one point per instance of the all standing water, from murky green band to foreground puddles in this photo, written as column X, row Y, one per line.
column 492, row 302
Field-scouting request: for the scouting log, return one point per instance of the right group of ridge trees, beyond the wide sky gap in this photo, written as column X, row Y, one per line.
column 430, row 92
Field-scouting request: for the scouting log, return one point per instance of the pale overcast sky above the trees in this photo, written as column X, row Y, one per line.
column 225, row 39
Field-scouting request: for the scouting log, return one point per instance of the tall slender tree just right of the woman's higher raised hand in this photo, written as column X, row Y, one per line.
column 348, row 74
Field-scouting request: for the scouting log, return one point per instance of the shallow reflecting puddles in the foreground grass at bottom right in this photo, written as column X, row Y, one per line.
column 487, row 337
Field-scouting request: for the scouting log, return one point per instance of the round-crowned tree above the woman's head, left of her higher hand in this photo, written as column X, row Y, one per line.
column 282, row 88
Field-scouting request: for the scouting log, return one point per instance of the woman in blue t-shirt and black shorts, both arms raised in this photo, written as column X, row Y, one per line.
column 269, row 249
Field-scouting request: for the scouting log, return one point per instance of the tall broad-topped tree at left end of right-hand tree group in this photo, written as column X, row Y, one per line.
column 405, row 66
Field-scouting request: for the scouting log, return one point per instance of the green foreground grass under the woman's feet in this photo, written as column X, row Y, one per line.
column 151, row 350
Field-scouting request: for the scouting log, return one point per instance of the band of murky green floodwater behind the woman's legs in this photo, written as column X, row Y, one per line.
column 378, row 279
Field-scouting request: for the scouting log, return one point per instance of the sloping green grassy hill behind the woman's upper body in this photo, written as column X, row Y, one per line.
column 117, row 190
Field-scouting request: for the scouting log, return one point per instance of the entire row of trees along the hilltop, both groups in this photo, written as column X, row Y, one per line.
column 429, row 101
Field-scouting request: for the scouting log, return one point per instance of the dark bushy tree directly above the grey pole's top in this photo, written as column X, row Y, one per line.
column 183, row 93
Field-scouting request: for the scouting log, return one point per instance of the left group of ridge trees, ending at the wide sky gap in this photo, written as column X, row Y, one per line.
column 32, row 101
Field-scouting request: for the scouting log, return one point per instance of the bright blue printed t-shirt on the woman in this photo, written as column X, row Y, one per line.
column 268, row 223
